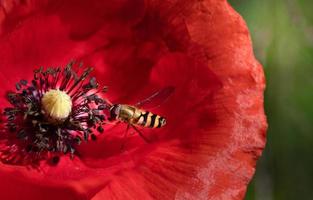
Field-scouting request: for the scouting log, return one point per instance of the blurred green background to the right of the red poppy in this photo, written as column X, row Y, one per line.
column 282, row 34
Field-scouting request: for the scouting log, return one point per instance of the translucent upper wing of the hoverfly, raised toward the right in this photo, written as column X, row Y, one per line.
column 156, row 99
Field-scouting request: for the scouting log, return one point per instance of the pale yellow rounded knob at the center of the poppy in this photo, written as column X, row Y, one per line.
column 56, row 104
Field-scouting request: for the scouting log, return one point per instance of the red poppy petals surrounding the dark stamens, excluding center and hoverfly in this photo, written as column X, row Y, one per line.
column 216, row 123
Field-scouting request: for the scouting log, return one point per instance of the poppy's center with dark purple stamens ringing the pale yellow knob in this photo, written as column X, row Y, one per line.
column 56, row 110
